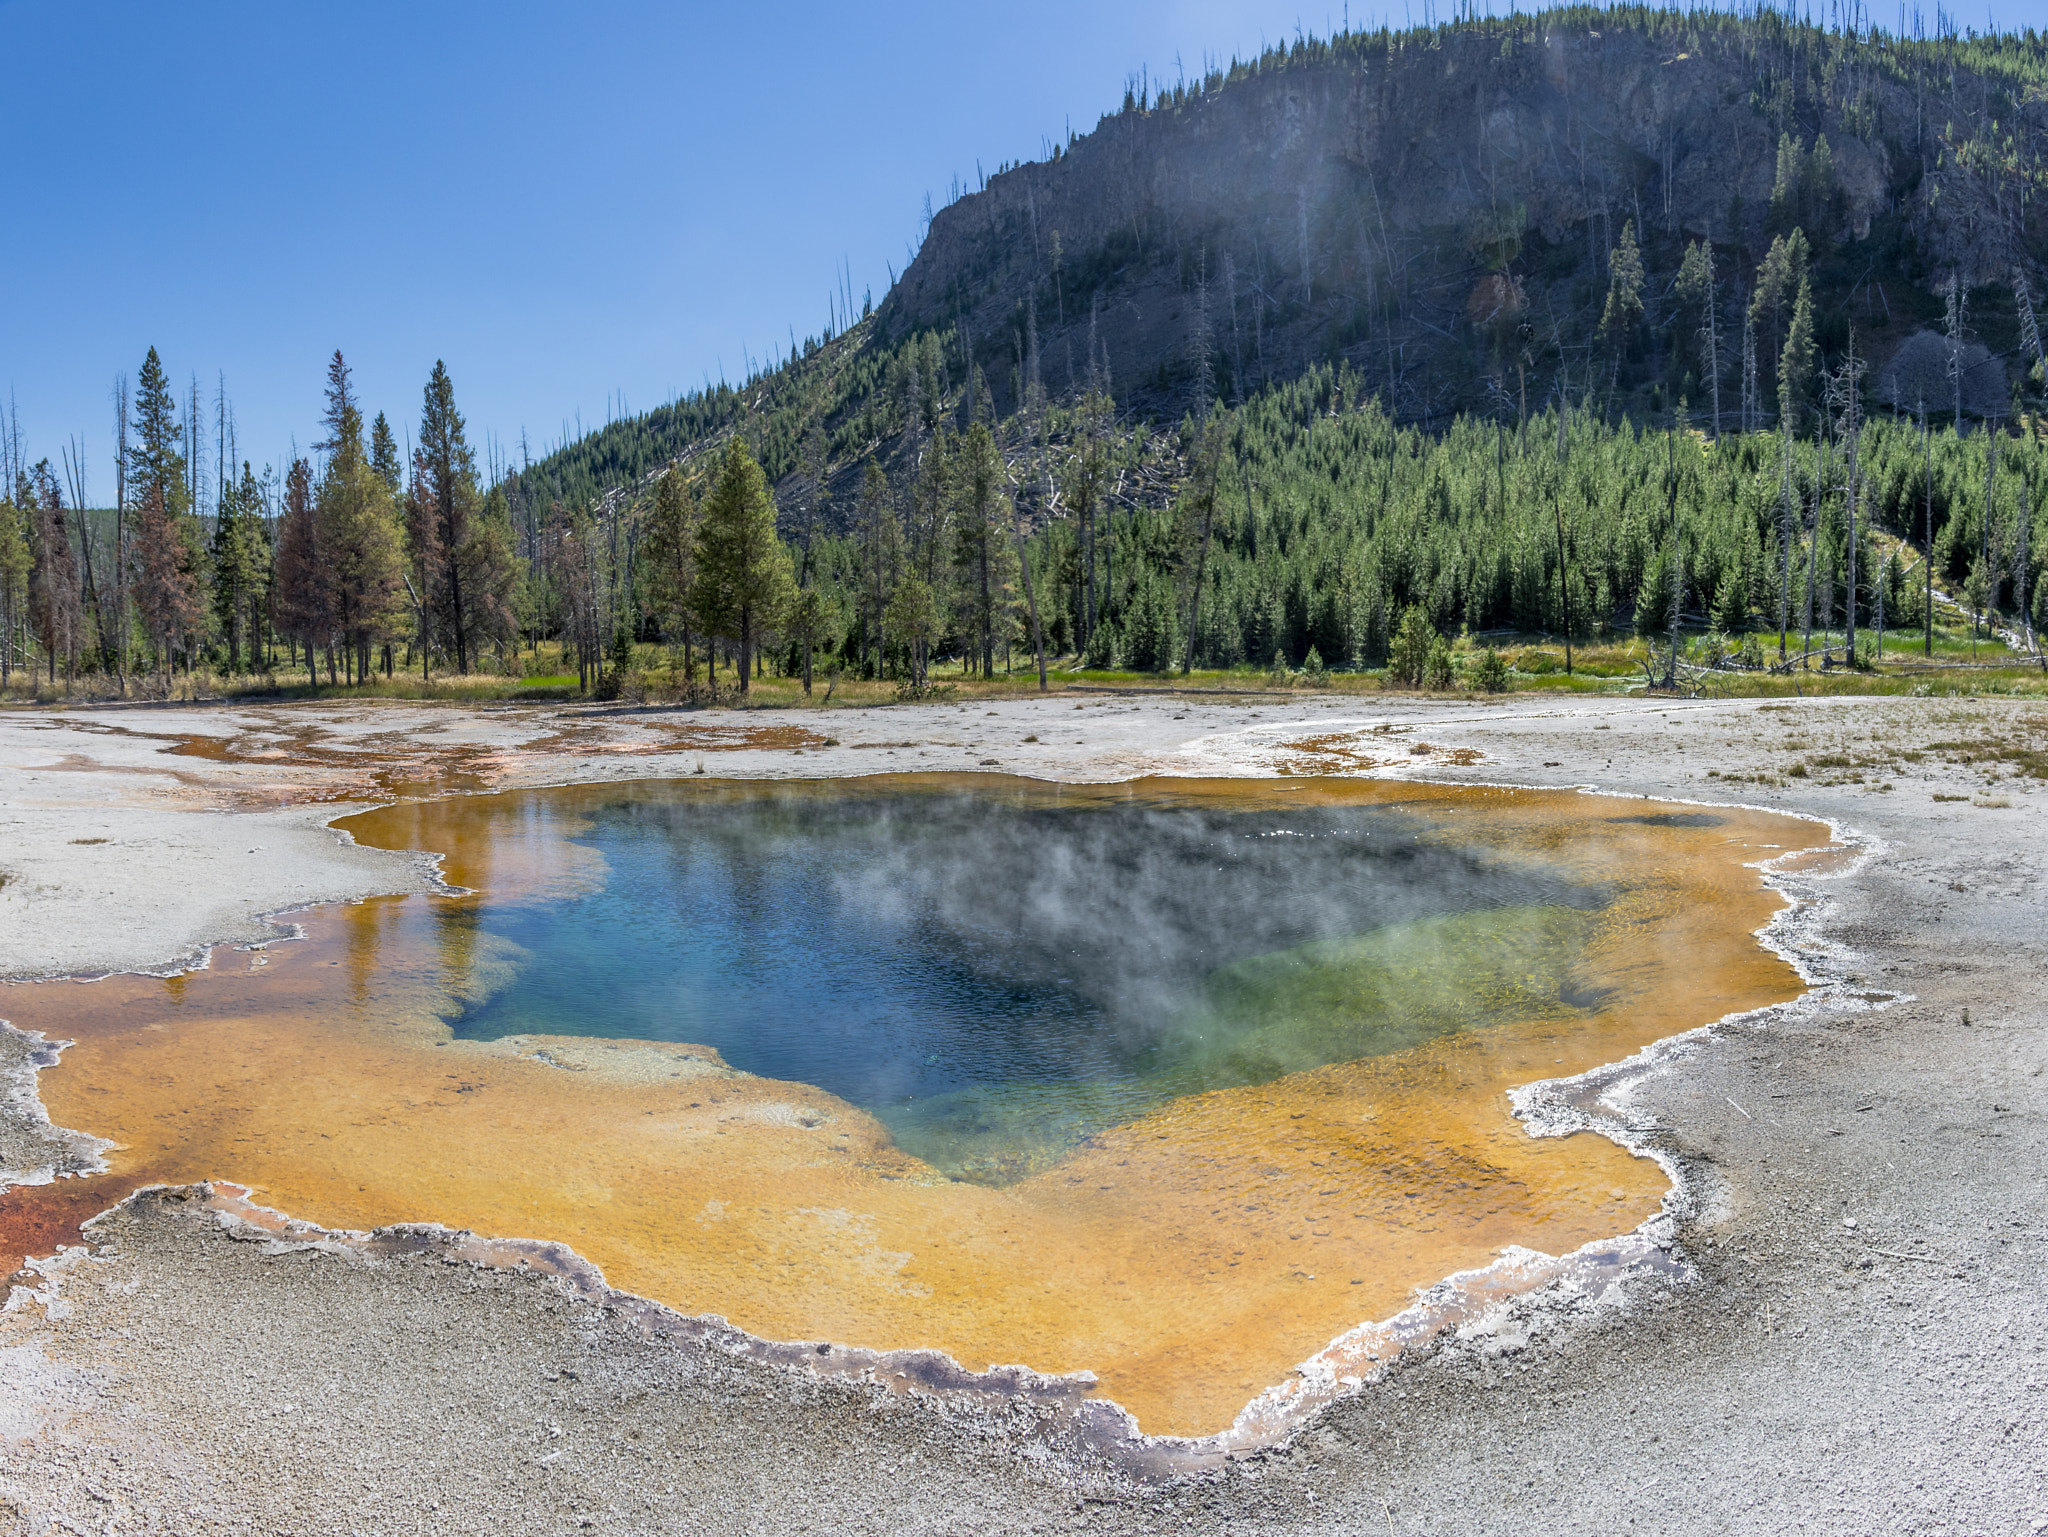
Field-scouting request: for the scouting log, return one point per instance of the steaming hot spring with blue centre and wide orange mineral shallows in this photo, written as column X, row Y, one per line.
column 1168, row 1081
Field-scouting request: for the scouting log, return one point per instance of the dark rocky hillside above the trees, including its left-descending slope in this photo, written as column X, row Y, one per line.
column 1441, row 210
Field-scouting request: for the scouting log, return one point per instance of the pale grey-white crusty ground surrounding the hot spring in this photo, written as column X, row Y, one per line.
column 1803, row 1378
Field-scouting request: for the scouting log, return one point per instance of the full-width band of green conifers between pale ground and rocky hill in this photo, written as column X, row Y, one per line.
column 1297, row 530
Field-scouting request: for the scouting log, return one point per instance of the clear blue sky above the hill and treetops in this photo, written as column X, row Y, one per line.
column 585, row 210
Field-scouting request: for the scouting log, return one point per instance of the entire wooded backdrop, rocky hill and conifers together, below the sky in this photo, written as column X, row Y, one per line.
column 1738, row 380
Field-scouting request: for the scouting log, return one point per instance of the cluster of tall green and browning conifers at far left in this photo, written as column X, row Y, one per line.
column 339, row 565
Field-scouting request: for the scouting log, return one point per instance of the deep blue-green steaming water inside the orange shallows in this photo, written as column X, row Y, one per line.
column 1000, row 974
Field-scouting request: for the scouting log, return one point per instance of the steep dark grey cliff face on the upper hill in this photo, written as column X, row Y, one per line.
column 1441, row 208
